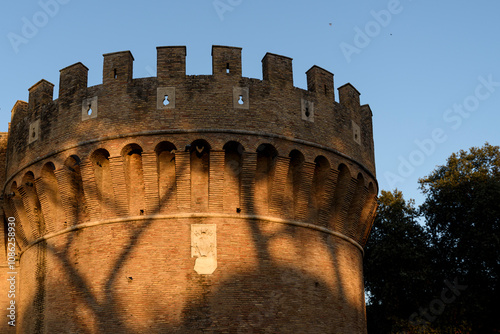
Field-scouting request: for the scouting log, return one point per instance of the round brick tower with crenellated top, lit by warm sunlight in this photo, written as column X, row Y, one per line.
column 188, row 203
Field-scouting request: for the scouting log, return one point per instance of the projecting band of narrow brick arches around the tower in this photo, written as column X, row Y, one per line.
column 287, row 187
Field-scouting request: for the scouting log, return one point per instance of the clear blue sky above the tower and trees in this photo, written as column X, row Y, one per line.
column 428, row 69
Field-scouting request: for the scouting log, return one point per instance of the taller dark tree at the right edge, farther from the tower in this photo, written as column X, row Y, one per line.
column 462, row 210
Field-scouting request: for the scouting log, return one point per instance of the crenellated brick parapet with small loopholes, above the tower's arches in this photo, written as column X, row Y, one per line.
column 174, row 100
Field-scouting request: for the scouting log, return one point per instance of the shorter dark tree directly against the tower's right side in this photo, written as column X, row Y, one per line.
column 397, row 265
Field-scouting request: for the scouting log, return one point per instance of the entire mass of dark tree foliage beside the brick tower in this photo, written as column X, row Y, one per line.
column 441, row 276
